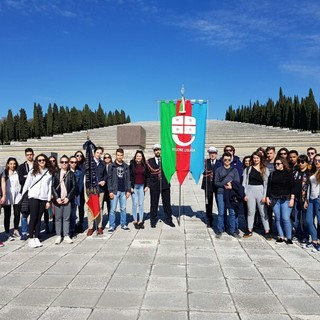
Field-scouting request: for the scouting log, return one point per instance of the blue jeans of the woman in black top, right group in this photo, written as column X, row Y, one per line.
column 282, row 213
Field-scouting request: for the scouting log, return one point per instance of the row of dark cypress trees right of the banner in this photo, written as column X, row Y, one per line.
column 287, row 112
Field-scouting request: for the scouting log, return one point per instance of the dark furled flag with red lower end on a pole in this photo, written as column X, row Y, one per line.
column 91, row 180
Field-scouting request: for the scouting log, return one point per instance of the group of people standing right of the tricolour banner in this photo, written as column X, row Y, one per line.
column 282, row 184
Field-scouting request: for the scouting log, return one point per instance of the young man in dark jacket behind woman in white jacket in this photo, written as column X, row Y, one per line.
column 23, row 171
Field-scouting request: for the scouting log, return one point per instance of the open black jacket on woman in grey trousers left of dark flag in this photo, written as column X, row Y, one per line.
column 69, row 181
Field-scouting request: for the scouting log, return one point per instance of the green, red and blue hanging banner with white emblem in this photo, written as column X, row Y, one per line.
column 183, row 129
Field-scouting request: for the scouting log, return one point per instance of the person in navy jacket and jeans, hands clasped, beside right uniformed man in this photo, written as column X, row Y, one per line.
column 224, row 176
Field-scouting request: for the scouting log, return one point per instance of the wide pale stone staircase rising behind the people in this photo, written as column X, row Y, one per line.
column 246, row 138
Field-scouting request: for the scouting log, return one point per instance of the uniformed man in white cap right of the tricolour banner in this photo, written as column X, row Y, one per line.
column 208, row 186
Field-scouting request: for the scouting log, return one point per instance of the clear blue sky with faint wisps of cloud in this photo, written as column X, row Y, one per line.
column 127, row 54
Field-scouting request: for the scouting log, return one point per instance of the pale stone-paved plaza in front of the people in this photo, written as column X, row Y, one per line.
column 163, row 273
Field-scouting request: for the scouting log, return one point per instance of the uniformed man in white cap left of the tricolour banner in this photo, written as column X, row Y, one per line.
column 159, row 185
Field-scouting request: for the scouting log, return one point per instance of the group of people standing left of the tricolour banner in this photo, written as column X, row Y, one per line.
column 59, row 192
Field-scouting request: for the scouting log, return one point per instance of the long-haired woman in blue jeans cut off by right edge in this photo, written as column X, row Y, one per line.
column 312, row 205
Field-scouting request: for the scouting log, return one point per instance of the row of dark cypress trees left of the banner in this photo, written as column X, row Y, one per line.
column 56, row 120
